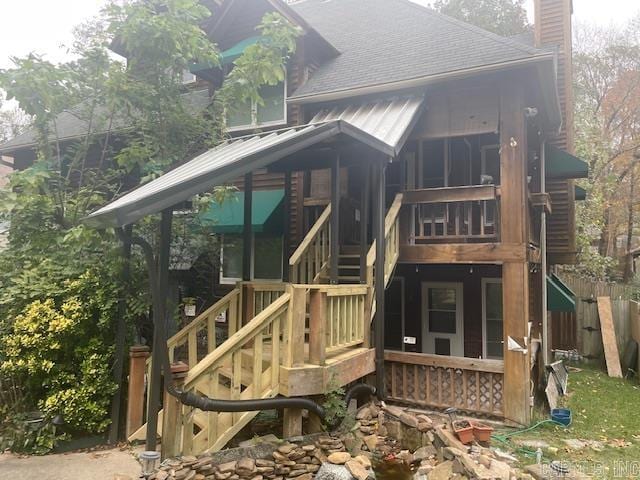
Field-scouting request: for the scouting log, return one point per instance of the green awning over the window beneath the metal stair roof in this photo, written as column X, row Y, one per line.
column 266, row 213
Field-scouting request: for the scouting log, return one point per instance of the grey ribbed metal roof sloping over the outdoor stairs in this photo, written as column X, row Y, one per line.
column 383, row 126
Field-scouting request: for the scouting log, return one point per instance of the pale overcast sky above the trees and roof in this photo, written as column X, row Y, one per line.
column 45, row 25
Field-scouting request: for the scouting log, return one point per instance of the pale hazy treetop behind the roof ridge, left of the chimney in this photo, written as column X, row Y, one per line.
column 504, row 17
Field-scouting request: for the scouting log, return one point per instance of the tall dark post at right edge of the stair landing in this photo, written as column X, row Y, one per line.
column 378, row 228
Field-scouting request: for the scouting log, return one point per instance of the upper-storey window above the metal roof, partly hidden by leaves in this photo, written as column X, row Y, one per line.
column 251, row 114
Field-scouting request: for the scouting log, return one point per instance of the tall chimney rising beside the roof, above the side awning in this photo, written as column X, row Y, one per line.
column 553, row 30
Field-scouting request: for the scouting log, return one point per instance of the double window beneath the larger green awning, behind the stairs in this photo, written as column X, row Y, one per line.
column 266, row 262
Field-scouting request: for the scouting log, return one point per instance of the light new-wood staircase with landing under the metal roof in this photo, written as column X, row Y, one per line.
column 289, row 339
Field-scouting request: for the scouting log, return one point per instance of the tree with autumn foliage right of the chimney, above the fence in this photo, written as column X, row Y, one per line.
column 607, row 118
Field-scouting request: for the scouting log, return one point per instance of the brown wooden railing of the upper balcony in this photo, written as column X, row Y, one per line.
column 452, row 214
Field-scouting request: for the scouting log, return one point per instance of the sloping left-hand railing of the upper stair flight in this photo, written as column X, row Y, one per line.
column 311, row 259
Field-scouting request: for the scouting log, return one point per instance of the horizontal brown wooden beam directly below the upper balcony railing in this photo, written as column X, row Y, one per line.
column 497, row 253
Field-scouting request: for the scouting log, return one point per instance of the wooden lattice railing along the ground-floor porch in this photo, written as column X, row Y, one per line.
column 469, row 384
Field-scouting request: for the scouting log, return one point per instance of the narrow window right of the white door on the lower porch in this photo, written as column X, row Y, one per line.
column 492, row 316
